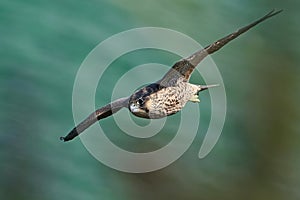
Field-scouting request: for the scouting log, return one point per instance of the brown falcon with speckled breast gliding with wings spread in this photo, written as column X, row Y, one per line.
column 168, row 95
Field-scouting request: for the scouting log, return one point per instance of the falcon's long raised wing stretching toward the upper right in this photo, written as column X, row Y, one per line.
column 185, row 67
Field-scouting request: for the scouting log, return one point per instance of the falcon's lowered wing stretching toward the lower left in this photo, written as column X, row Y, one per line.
column 101, row 113
